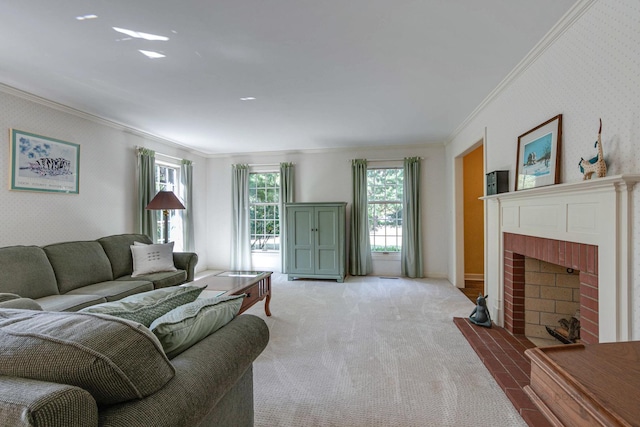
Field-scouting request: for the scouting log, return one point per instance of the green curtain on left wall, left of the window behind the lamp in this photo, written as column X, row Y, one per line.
column 147, row 219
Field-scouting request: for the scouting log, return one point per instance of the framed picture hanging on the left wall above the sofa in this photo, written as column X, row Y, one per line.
column 40, row 163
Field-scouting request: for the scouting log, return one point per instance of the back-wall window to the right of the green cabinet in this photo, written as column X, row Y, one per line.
column 384, row 196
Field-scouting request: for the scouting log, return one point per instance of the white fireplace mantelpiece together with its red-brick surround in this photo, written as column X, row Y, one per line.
column 586, row 226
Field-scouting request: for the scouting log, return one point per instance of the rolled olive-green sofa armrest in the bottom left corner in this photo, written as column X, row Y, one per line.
column 25, row 402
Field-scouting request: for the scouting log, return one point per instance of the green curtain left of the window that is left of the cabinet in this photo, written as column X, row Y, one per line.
column 241, row 237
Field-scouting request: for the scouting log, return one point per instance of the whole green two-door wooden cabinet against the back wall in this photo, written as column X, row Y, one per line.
column 316, row 245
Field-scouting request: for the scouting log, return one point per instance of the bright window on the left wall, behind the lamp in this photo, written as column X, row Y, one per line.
column 168, row 178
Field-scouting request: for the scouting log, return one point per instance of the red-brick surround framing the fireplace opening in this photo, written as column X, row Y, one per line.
column 577, row 256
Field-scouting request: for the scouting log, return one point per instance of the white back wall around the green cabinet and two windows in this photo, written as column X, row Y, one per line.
column 325, row 176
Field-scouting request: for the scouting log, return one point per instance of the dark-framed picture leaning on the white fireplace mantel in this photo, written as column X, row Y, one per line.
column 538, row 161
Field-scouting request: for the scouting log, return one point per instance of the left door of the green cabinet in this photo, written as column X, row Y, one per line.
column 300, row 240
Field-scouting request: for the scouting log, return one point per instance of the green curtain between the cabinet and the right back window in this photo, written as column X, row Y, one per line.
column 360, row 262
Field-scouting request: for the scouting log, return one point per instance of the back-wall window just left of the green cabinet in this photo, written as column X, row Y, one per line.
column 264, row 211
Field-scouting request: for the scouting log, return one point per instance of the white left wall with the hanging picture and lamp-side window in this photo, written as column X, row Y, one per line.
column 106, row 203
